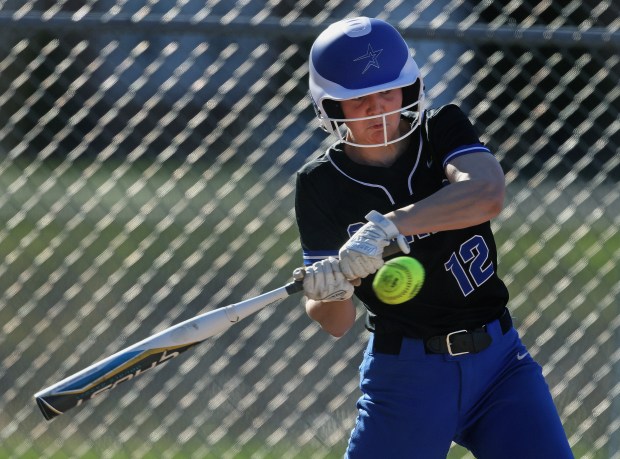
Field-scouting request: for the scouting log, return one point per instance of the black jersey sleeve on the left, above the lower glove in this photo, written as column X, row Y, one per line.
column 319, row 239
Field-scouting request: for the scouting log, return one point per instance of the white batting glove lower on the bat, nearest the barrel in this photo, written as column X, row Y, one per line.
column 324, row 281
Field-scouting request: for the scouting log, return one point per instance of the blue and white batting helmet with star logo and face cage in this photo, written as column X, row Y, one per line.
column 356, row 57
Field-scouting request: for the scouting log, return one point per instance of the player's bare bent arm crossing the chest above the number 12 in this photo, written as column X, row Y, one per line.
column 475, row 195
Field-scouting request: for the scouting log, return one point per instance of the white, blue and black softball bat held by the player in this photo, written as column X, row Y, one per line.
column 134, row 360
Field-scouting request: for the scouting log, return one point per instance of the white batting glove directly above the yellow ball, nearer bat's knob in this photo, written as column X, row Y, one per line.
column 363, row 252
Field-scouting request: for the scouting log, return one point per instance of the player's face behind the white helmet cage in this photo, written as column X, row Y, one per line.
column 375, row 129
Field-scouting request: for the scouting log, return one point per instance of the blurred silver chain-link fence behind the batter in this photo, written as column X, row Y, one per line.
column 147, row 156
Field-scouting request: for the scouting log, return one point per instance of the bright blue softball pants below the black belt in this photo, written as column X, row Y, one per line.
column 495, row 403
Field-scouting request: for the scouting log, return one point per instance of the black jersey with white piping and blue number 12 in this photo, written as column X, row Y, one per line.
column 462, row 289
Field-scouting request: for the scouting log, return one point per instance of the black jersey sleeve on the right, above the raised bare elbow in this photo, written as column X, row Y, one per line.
column 452, row 134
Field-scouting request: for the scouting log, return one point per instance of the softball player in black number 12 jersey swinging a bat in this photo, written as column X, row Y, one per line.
column 446, row 365
